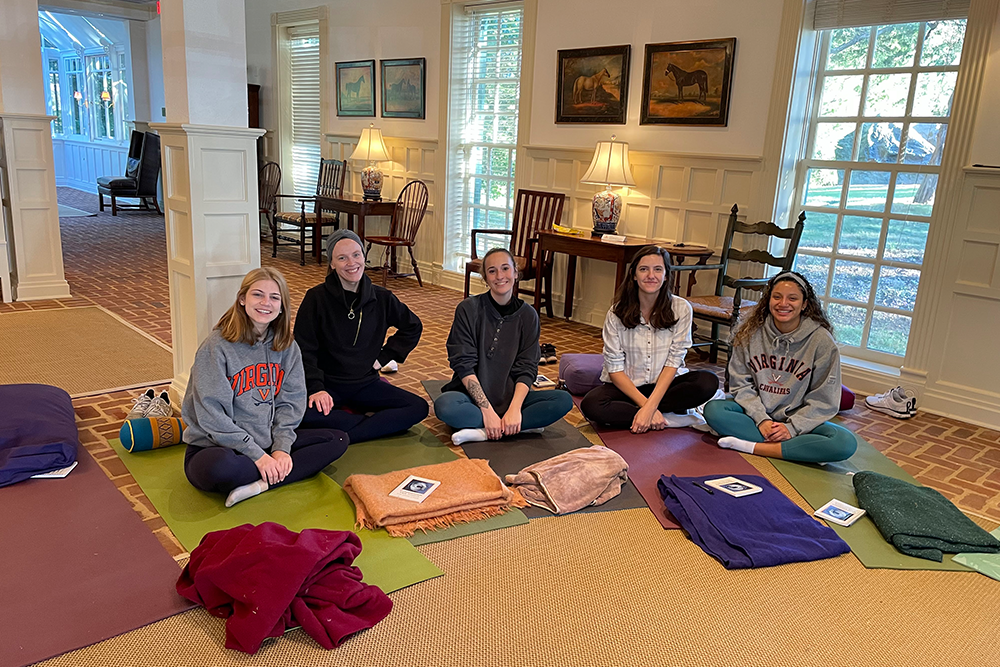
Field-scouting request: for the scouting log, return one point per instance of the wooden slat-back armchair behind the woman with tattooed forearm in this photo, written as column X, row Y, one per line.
column 534, row 211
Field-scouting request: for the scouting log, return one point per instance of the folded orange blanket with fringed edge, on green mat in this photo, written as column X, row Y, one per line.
column 469, row 491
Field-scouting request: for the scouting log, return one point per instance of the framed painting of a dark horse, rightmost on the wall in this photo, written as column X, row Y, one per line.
column 688, row 83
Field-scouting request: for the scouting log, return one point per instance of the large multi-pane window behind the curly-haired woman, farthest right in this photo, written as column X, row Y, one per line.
column 880, row 119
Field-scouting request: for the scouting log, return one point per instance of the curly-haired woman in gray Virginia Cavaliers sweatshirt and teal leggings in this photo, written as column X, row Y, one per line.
column 784, row 372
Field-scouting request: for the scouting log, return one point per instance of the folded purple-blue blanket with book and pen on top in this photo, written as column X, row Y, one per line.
column 753, row 531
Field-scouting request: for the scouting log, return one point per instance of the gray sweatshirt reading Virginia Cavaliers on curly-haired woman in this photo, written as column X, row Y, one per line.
column 791, row 378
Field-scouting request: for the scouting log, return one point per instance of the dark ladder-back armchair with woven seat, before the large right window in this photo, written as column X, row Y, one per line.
column 728, row 302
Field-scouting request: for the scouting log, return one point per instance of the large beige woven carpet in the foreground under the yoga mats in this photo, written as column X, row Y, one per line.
column 613, row 588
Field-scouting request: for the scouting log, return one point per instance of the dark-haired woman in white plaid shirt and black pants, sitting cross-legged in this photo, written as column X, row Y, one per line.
column 647, row 333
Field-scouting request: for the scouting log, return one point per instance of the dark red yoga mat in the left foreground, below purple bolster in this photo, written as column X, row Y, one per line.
column 77, row 566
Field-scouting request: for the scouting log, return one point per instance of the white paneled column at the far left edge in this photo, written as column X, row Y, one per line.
column 31, row 265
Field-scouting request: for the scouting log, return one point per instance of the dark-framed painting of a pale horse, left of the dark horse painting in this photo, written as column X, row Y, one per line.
column 592, row 85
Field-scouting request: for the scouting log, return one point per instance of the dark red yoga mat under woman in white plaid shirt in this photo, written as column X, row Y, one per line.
column 674, row 451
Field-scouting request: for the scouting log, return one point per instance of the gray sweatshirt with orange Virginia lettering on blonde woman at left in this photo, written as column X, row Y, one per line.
column 245, row 397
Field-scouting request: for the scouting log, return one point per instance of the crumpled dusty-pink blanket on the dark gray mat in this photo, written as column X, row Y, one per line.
column 573, row 480
